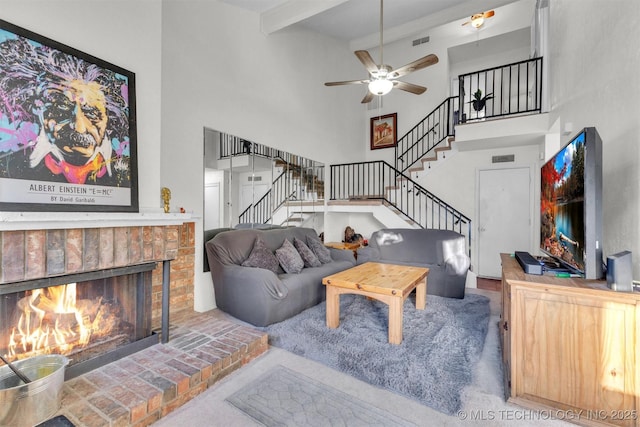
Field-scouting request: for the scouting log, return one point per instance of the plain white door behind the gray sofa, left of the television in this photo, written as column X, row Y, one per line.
column 504, row 216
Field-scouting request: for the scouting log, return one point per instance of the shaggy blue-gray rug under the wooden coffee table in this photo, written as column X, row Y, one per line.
column 435, row 361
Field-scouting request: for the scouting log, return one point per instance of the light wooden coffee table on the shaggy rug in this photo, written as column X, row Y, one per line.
column 388, row 283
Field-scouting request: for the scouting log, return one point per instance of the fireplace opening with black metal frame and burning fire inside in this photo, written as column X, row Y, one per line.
column 92, row 318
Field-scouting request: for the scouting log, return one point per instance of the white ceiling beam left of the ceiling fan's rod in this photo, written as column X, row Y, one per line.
column 292, row 12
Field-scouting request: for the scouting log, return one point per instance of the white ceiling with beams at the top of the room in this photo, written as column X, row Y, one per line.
column 358, row 21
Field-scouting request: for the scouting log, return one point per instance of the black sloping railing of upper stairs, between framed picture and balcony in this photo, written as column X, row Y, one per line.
column 424, row 137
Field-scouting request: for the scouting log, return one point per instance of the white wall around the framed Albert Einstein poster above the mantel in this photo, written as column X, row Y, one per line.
column 125, row 36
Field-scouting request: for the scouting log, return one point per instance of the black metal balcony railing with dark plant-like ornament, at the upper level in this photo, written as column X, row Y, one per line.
column 511, row 89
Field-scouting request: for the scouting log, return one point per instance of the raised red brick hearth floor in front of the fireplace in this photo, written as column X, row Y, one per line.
column 141, row 388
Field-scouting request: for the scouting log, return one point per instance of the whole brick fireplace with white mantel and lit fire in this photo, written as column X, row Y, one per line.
column 151, row 259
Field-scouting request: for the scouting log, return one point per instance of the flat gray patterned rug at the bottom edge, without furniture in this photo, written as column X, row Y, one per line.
column 282, row 397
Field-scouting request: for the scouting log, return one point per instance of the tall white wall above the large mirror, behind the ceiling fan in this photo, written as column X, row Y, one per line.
column 219, row 71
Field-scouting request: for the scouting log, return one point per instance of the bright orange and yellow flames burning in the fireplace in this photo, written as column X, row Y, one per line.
column 54, row 319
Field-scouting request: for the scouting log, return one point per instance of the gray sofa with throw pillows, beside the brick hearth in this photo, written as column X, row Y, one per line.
column 262, row 296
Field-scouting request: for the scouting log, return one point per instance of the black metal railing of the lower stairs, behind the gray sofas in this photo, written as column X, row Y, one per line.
column 378, row 180
